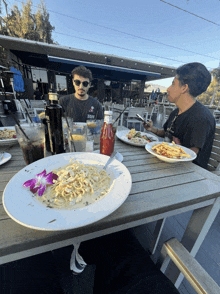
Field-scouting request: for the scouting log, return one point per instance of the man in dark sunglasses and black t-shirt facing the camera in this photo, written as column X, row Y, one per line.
column 80, row 106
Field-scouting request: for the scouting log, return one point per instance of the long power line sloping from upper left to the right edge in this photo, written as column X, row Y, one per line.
column 128, row 34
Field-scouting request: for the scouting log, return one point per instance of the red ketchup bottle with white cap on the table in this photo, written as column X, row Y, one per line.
column 107, row 138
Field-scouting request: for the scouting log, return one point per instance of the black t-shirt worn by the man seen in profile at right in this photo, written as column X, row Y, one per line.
column 194, row 128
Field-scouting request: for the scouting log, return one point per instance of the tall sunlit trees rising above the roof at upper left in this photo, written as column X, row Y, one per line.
column 27, row 24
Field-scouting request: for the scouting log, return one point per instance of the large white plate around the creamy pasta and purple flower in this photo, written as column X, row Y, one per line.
column 23, row 207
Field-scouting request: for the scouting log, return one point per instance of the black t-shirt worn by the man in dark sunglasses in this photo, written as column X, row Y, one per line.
column 81, row 110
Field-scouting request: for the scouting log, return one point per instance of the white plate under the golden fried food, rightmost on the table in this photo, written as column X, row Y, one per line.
column 149, row 146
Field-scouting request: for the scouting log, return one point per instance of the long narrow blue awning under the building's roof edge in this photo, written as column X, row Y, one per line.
column 107, row 68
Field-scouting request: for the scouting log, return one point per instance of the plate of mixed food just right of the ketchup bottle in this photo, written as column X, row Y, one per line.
column 136, row 138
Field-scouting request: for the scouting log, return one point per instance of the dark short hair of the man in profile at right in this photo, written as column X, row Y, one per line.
column 196, row 76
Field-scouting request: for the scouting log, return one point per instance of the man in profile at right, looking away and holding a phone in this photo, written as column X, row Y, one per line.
column 191, row 124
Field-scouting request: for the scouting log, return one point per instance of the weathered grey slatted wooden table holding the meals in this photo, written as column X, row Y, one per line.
column 159, row 190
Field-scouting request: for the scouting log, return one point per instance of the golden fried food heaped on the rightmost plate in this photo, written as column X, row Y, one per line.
column 170, row 151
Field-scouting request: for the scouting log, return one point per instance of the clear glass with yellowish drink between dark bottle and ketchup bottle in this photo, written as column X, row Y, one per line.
column 79, row 137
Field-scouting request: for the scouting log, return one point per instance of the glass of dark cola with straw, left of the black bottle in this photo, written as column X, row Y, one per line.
column 33, row 144
